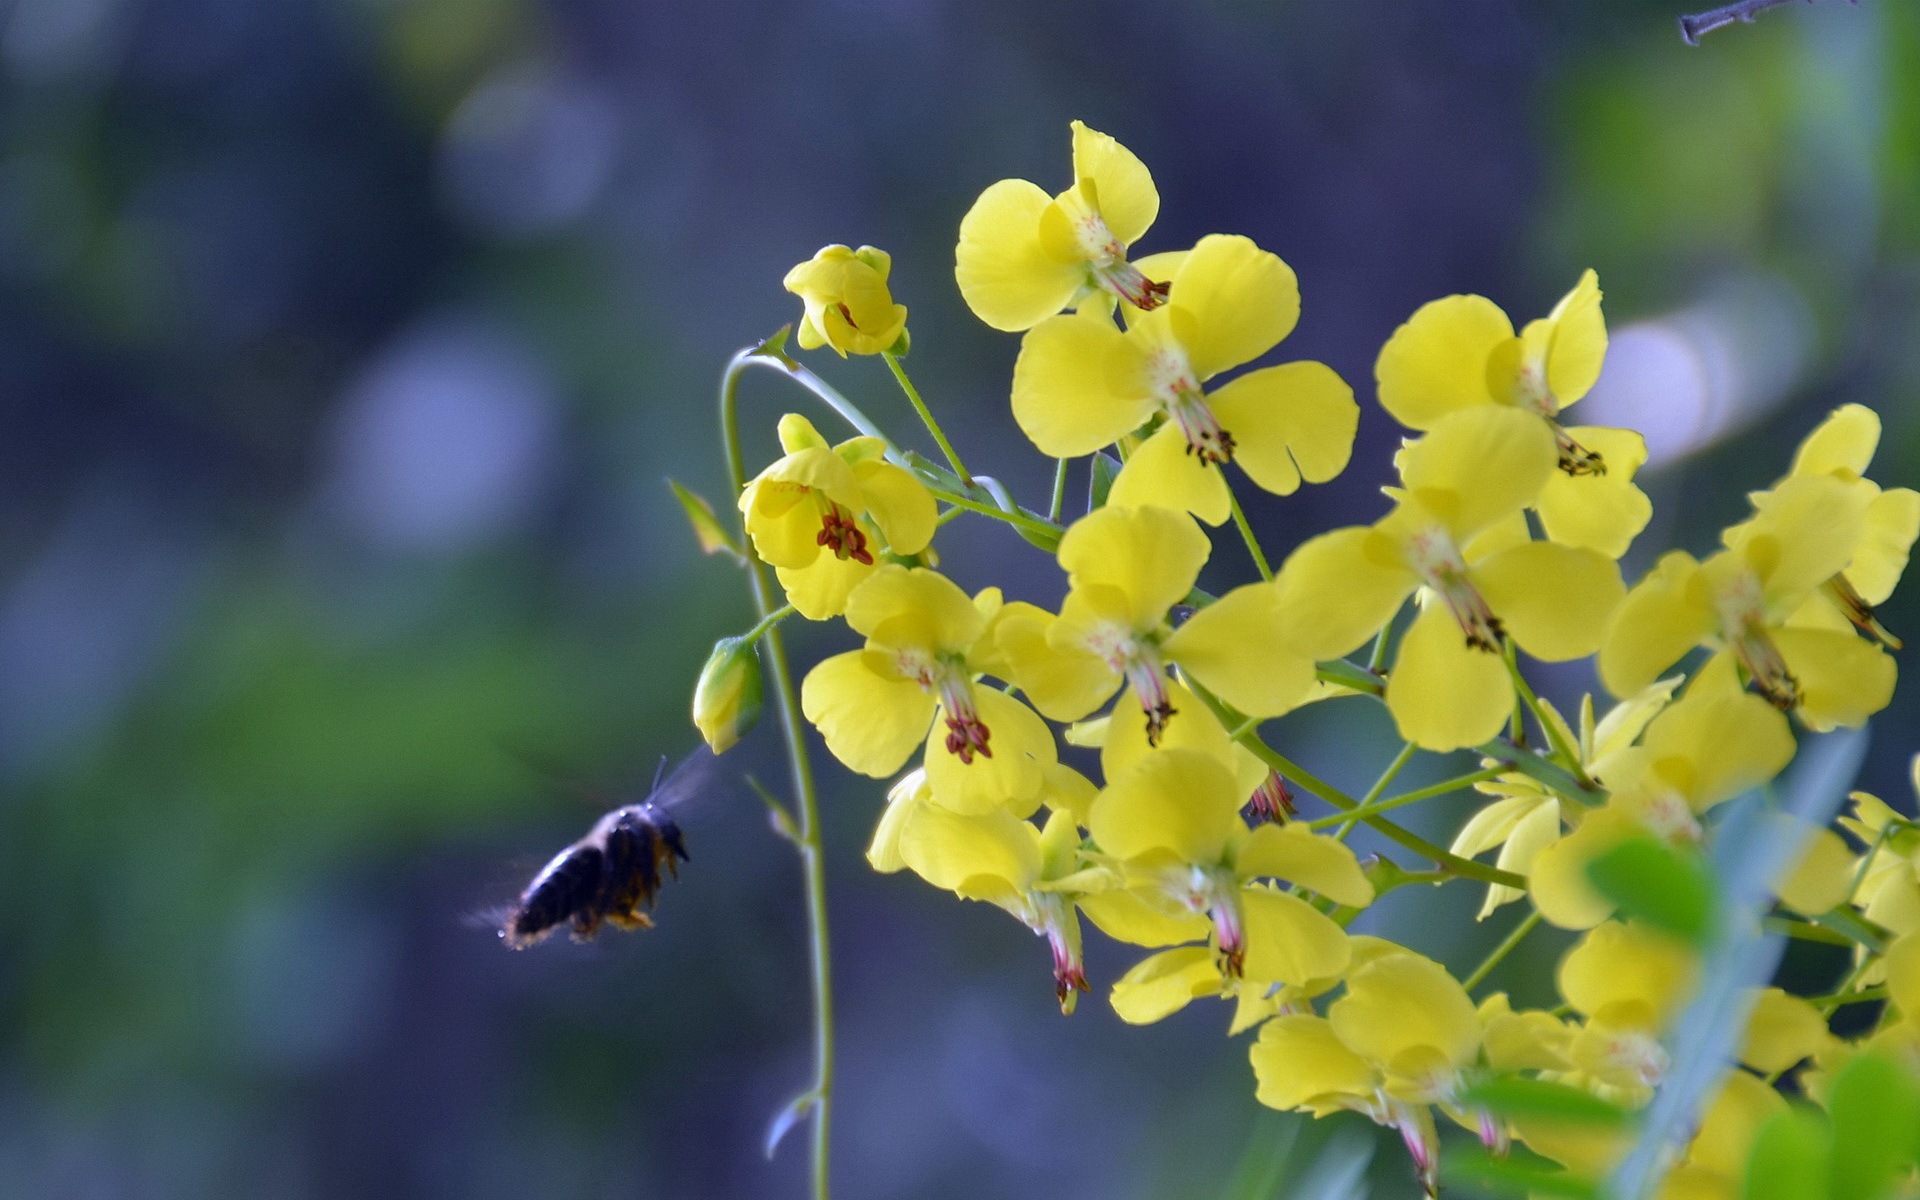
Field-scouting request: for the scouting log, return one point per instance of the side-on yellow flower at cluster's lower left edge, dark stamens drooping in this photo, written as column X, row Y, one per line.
column 997, row 857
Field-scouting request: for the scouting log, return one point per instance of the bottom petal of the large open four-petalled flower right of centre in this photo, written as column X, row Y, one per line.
column 1443, row 692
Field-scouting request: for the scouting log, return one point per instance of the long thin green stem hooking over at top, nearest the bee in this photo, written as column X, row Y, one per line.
column 807, row 836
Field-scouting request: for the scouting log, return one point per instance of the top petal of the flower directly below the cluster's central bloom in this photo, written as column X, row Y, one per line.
column 1174, row 800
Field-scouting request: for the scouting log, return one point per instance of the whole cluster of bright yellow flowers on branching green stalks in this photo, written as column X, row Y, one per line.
column 1504, row 531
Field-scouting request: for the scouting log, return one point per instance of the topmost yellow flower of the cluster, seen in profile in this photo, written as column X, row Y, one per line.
column 1024, row 254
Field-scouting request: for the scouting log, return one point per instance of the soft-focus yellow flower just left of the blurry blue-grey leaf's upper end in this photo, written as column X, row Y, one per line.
column 1704, row 750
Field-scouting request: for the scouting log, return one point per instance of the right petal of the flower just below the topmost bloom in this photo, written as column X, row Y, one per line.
column 1289, row 423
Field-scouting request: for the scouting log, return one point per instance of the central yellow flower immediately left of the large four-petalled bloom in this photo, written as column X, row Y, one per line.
column 1126, row 569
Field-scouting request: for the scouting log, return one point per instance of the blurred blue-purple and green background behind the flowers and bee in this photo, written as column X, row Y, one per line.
column 345, row 350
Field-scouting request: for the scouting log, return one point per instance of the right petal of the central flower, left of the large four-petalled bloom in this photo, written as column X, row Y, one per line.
column 1237, row 648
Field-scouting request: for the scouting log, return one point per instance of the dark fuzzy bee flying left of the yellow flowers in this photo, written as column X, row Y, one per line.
column 613, row 875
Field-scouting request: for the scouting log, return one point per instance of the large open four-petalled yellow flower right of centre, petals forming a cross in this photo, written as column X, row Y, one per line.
column 1454, row 535
